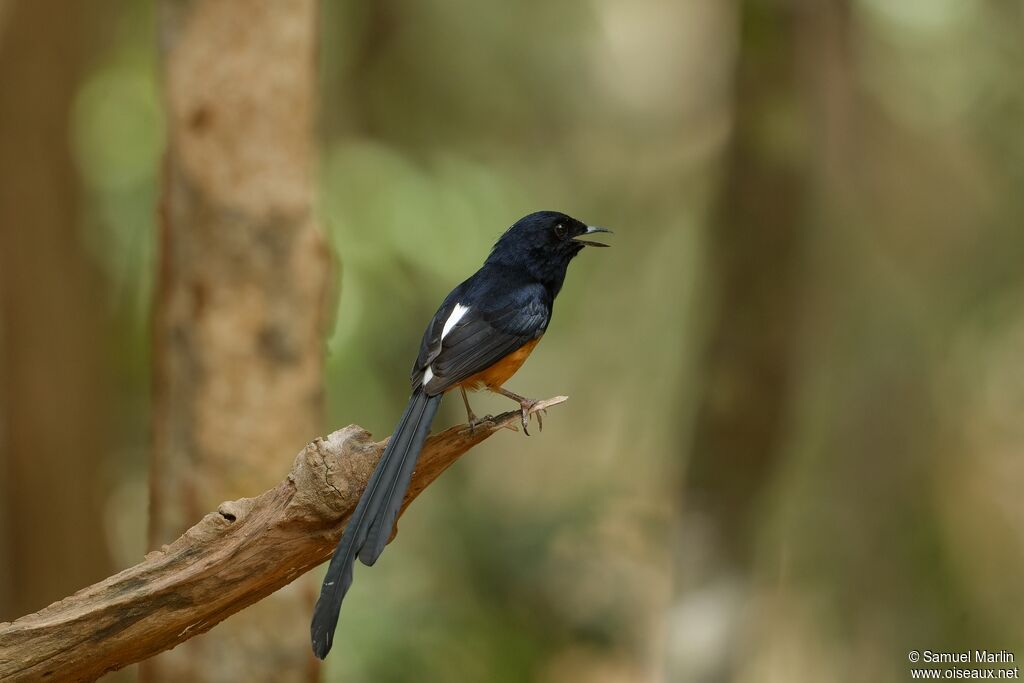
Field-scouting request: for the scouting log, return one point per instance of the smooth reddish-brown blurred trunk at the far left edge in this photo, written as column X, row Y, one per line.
column 54, row 425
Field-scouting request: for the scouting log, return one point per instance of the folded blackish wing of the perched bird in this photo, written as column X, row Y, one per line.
column 485, row 335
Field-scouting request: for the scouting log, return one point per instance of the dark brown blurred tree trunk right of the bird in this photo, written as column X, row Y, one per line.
column 758, row 244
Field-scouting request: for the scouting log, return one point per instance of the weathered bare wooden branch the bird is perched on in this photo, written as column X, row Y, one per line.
column 231, row 560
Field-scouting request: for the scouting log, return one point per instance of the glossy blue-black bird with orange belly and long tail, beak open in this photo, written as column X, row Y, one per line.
column 480, row 337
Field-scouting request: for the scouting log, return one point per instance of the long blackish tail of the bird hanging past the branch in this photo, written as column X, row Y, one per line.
column 371, row 525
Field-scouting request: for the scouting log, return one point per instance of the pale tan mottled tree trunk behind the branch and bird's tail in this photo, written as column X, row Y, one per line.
column 240, row 312
